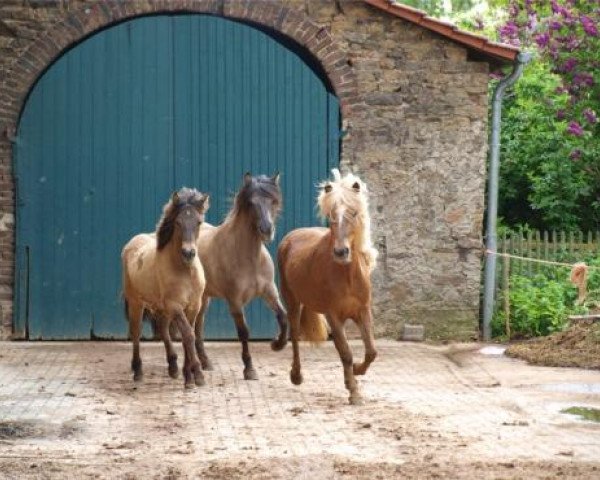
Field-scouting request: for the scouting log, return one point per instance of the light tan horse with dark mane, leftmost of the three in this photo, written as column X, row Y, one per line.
column 162, row 274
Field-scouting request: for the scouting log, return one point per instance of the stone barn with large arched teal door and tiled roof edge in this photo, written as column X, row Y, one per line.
column 108, row 106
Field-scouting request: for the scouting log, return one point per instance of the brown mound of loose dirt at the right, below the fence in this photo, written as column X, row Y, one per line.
column 578, row 346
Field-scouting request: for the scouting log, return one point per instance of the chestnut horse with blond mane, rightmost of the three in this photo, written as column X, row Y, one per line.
column 327, row 271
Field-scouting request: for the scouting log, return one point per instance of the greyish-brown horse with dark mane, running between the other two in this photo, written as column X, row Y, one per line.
column 237, row 264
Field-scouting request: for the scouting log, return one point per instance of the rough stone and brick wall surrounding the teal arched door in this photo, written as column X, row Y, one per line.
column 415, row 106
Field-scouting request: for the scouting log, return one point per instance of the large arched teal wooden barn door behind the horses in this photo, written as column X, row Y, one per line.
column 134, row 112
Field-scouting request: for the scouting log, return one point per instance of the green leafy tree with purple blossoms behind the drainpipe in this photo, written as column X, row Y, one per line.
column 551, row 136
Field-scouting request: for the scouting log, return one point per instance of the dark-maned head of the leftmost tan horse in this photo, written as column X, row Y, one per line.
column 181, row 220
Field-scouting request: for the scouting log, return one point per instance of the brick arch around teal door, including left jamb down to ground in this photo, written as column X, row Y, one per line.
column 78, row 24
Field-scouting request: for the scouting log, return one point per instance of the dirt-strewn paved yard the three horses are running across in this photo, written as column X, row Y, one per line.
column 71, row 410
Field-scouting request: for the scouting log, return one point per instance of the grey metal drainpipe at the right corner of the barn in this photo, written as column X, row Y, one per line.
column 493, row 174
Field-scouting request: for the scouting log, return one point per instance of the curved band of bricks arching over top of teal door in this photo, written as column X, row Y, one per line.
column 77, row 25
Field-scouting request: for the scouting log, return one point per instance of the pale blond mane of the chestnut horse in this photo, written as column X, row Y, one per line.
column 343, row 192
